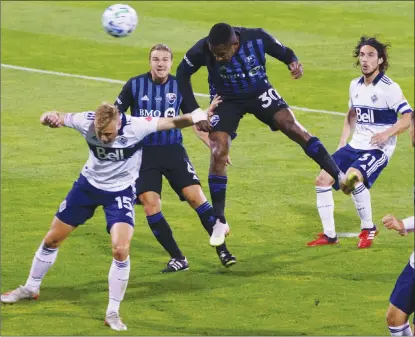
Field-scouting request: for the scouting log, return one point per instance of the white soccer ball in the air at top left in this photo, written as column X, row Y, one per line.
column 119, row 20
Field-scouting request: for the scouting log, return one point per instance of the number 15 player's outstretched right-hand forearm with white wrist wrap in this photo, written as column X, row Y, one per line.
column 187, row 120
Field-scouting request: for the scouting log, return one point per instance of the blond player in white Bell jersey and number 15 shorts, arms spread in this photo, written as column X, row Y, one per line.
column 107, row 180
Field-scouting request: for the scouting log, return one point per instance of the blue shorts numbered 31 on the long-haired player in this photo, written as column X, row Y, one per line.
column 369, row 162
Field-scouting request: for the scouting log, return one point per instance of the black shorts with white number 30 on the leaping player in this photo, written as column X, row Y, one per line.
column 228, row 114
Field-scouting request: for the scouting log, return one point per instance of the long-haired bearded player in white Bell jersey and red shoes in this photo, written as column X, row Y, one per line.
column 375, row 101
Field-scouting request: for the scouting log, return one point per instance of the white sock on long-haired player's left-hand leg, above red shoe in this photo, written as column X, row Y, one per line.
column 325, row 207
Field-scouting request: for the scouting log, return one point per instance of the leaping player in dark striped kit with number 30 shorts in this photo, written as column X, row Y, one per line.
column 235, row 60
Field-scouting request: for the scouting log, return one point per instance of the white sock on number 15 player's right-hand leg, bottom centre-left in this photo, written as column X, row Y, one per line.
column 118, row 277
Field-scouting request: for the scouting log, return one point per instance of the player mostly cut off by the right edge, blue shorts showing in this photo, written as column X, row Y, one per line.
column 402, row 299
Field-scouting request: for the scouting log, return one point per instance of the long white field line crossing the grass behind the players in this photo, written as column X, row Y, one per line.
column 109, row 80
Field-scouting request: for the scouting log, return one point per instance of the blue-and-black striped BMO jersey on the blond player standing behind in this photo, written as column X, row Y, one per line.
column 146, row 98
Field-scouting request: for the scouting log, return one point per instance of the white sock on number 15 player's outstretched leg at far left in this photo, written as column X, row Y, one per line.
column 44, row 259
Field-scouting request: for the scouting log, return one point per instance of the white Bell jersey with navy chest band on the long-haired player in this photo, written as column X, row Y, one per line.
column 377, row 106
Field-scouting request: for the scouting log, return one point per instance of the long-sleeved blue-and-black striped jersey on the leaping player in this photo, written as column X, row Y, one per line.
column 244, row 76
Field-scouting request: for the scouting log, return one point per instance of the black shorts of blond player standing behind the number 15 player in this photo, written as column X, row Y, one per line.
column 170, row 161
